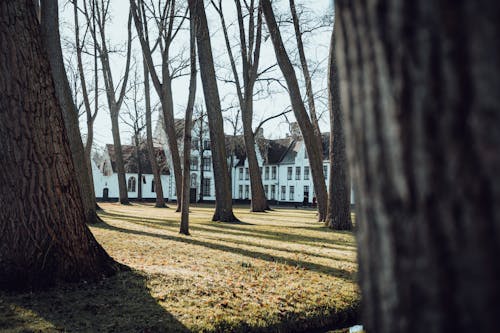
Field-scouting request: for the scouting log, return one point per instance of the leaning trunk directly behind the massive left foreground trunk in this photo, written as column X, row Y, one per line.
column 50, row 36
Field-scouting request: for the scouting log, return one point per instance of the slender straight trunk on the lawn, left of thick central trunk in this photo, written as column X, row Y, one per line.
column 186, row 178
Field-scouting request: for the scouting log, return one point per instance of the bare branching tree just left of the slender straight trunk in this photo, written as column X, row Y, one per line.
column 164, row 15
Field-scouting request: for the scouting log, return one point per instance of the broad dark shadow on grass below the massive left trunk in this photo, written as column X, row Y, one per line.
column 121, row 303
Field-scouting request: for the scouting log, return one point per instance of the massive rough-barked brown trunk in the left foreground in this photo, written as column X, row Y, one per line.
column 43, row 237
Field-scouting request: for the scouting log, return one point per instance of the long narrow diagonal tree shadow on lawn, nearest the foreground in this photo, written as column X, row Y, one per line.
column 337, row 272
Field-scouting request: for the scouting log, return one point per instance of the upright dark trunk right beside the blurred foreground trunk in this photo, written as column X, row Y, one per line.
column 339, row 200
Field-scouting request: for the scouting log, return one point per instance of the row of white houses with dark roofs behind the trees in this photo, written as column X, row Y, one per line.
column 285, row 170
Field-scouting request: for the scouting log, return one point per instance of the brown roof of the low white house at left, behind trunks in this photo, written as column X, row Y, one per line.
column 130, row 159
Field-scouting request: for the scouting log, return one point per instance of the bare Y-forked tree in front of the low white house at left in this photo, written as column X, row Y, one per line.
column 100, row 13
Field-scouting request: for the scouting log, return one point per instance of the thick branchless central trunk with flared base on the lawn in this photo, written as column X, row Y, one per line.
column 224, row 204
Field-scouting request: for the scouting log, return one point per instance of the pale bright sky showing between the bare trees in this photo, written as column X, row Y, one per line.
column 267, row 104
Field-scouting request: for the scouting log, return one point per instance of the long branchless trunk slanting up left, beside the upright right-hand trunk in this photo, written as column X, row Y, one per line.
column 314, row 151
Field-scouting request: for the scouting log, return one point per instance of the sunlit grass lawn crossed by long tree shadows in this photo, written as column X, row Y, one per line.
column 276, row 272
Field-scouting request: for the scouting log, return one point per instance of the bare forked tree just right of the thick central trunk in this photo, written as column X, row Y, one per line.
column 245, row 89
